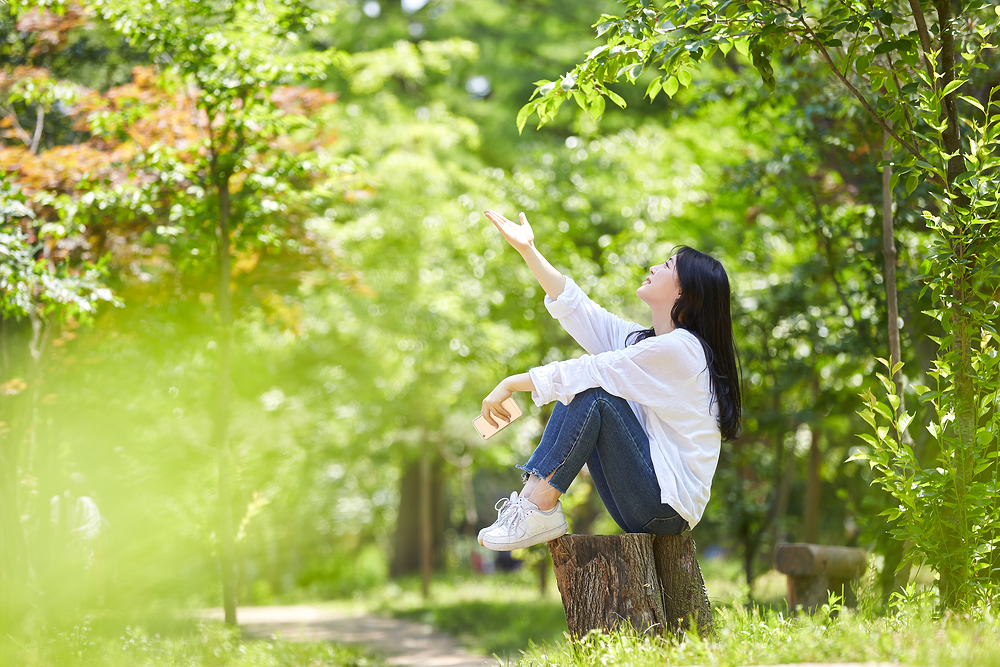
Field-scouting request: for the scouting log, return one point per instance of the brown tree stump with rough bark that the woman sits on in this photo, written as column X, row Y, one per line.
column 651, row 584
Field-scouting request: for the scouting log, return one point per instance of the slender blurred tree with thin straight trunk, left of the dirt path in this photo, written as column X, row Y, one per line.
column 230, row 57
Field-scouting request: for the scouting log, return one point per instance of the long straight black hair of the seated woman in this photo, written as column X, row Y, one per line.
column 703, row 309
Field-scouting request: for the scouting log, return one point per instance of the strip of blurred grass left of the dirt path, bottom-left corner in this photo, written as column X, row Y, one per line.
column 204, row 645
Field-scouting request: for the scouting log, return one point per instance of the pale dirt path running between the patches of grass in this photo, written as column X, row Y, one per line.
column 399, row 642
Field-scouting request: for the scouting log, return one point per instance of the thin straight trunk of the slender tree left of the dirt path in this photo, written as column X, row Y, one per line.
column 227, row 541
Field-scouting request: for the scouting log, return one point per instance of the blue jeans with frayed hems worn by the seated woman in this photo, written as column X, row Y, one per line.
column 601, row 430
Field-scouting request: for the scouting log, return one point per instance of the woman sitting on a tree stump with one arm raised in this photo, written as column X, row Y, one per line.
column 646, row 409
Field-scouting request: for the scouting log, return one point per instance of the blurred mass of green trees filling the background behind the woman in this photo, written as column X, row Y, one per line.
column 338, row 159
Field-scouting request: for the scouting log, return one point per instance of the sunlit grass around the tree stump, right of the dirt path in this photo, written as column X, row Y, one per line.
column 506, row 616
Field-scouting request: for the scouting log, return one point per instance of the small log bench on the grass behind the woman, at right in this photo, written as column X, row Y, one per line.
column 813, row 571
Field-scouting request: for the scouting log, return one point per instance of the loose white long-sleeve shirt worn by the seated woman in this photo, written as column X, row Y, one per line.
column 664, row 378
